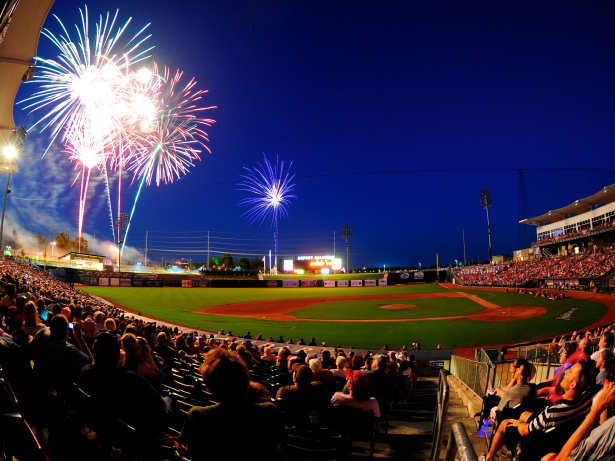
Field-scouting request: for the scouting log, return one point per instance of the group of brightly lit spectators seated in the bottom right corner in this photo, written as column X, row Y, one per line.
column 569, row 416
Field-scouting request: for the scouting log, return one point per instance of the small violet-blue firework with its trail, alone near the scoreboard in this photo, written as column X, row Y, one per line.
column 272, row 189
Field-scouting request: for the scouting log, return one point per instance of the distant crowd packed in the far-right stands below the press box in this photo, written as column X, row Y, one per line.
column 584, row 265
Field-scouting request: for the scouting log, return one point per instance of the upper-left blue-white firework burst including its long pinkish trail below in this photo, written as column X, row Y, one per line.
column 83, row 90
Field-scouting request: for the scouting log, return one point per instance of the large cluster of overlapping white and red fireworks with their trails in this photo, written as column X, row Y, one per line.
column 111, row 117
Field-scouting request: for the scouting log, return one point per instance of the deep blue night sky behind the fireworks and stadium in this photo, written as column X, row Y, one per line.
column 453, row 96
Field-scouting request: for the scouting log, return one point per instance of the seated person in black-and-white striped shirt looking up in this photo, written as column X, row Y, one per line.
column 574, row 404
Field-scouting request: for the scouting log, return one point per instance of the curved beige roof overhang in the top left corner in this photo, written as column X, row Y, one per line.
column 21, row 22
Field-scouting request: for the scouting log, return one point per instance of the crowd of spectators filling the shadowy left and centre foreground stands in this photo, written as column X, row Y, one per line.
column 127, row 365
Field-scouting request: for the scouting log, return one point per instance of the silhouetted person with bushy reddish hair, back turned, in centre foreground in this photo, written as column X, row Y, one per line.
column 205, row 434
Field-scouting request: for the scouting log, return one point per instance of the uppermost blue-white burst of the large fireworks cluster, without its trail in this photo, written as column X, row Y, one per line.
column 87, row 75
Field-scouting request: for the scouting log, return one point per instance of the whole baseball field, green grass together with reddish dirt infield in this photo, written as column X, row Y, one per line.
column 369, row 317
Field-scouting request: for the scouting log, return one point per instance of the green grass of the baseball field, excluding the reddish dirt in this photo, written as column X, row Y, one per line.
column 177, row 305
